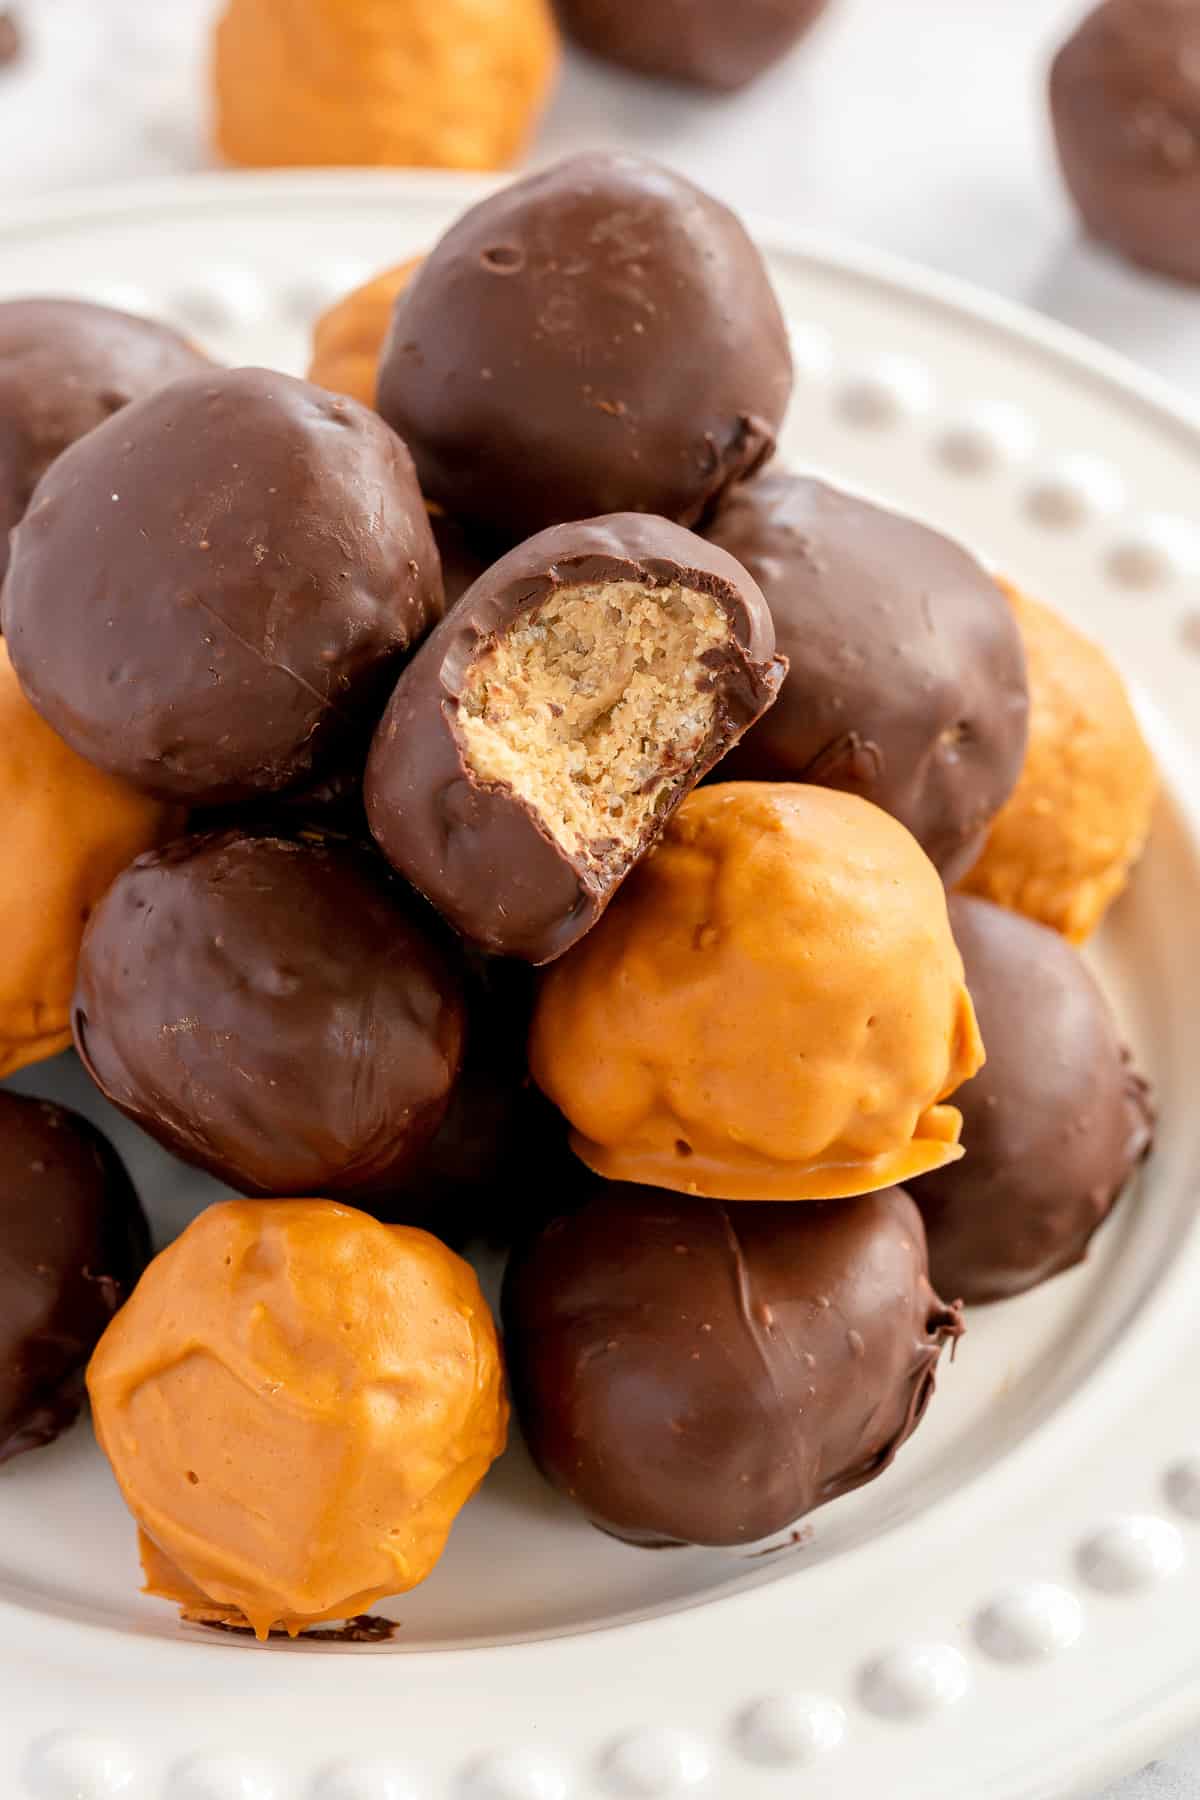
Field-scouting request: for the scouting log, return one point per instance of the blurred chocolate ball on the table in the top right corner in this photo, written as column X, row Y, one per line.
column 1125, row 102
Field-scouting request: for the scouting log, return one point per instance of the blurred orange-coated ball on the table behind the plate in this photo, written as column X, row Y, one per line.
column 381, row 82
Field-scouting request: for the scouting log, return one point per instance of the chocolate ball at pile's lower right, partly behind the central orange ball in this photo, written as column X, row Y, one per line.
column 1053, row 1126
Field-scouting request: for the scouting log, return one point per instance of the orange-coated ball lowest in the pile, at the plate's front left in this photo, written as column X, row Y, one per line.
column 298, row 1401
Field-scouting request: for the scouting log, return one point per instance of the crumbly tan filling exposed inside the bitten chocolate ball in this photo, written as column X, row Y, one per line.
column 595, row 710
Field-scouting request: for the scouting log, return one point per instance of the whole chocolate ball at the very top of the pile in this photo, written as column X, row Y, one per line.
column 600, row 337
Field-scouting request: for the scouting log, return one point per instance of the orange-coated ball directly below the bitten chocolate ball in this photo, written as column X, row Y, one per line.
column 773, row 1007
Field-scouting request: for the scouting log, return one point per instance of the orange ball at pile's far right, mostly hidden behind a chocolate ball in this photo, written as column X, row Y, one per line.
column 1064, row 845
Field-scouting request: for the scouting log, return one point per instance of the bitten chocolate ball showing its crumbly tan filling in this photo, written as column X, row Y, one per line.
column 542, row 737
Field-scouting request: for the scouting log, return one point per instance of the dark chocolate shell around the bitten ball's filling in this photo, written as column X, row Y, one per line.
column 476, row 849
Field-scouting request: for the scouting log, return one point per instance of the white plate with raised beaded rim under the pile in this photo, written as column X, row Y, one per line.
column 1012, row 1610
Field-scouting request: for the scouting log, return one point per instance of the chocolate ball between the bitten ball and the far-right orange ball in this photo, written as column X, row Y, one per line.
column 908, row 672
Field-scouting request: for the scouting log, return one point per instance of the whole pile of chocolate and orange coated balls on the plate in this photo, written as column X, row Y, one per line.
column 506, row 804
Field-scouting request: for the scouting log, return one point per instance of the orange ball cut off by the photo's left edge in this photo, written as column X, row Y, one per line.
column 71, row 829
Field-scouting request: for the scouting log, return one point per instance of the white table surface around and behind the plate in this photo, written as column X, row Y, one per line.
column 913, row 125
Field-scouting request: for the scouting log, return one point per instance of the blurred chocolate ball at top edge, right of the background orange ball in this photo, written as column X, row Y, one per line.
column 704, row 42
